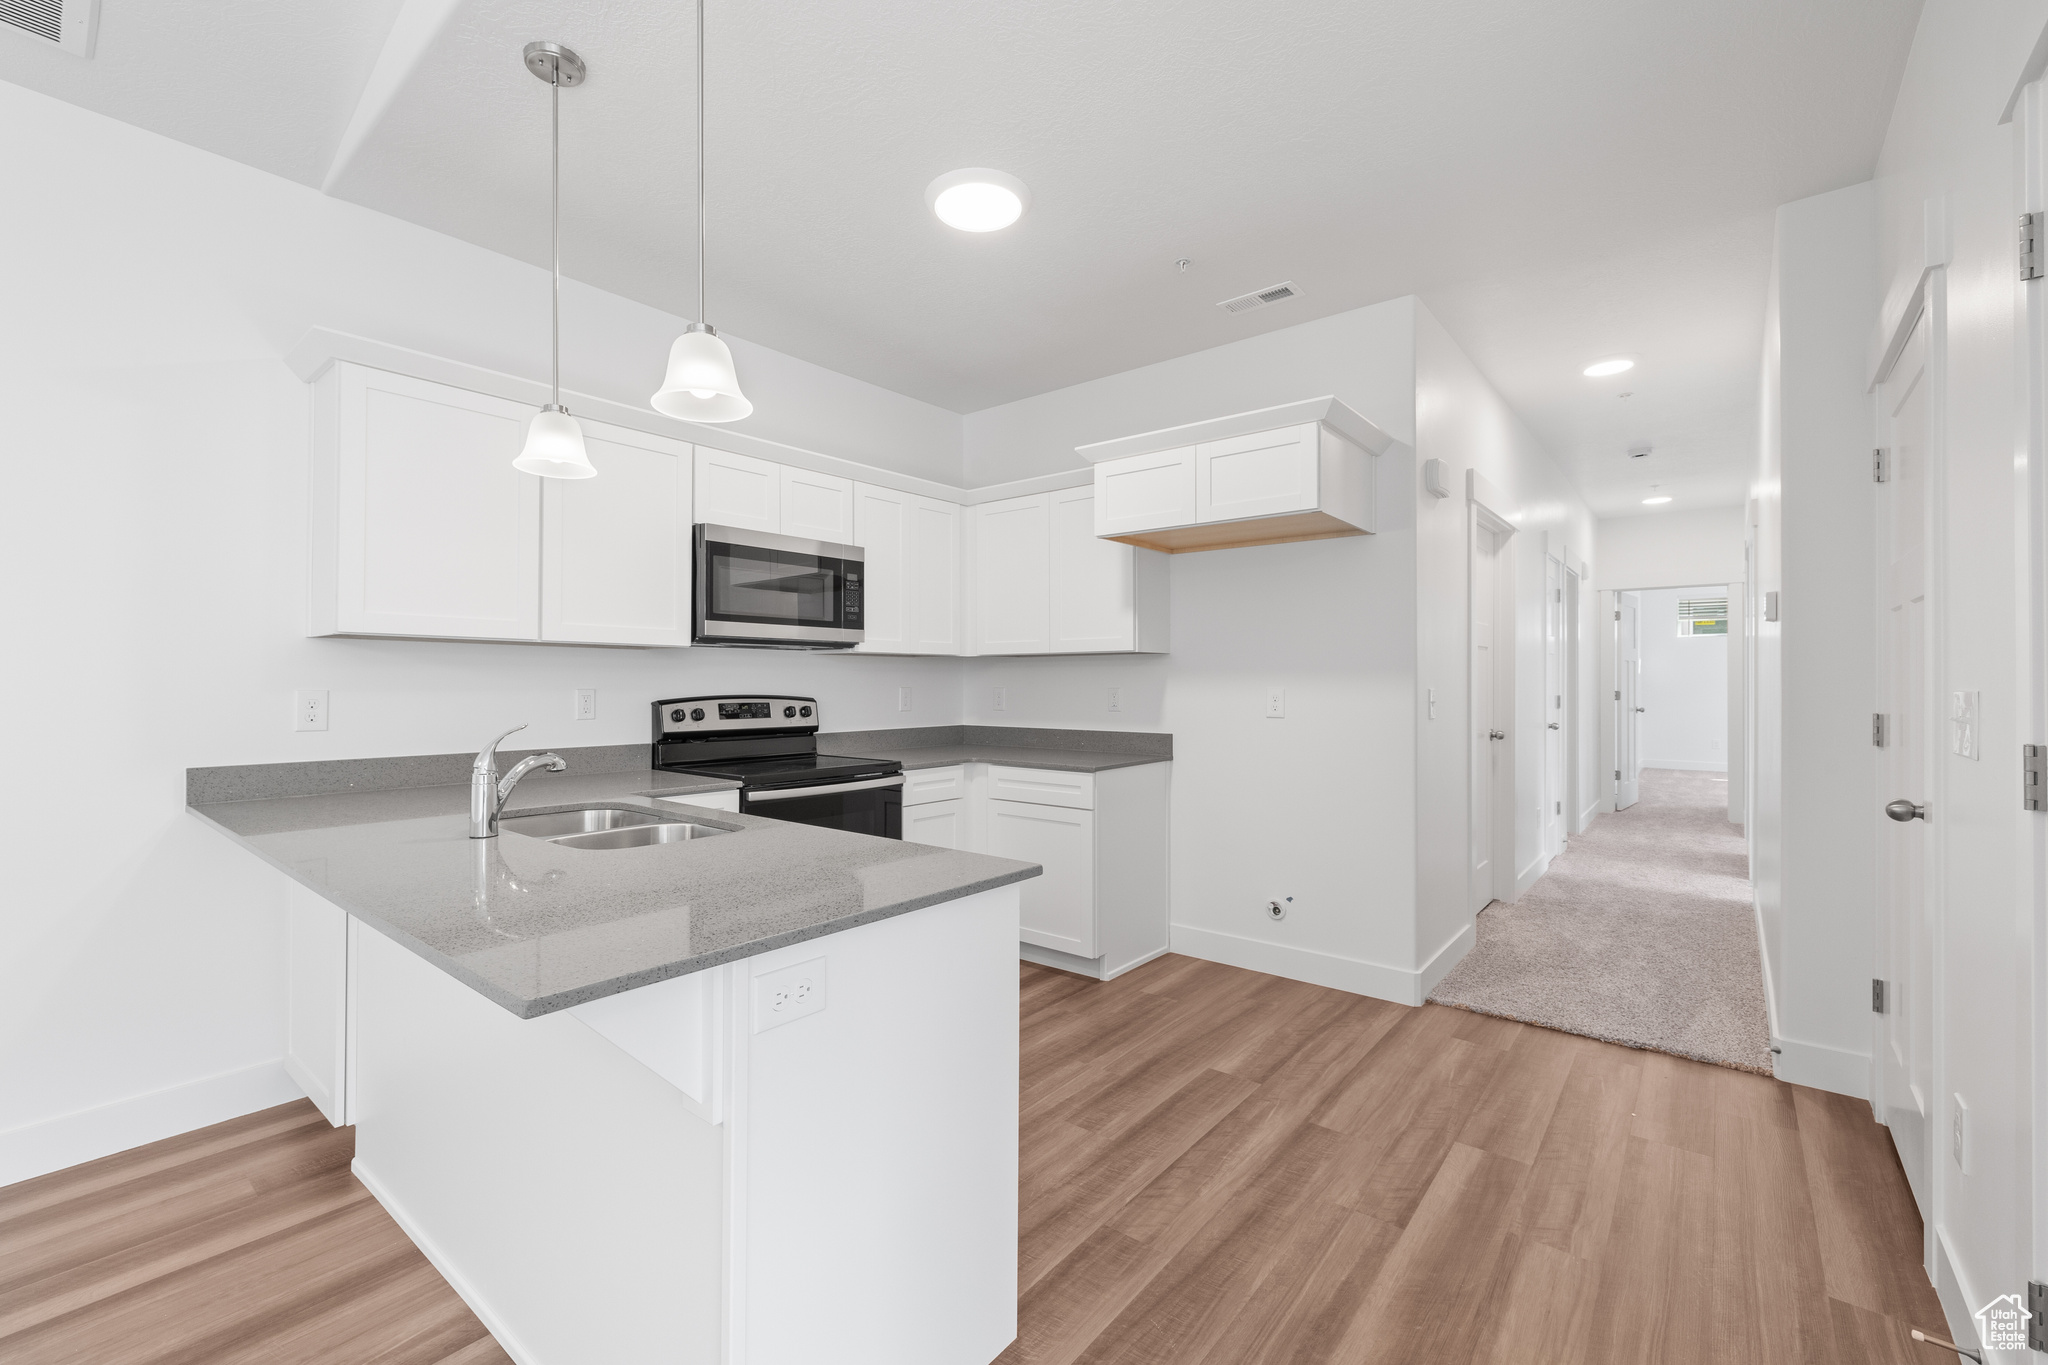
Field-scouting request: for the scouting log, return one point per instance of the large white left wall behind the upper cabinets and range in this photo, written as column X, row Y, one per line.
column 155, row 558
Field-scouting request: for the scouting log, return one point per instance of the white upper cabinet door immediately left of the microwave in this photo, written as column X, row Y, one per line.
column 615, row 552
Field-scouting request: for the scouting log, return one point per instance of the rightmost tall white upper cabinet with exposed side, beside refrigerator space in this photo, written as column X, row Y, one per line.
column 1107, row 597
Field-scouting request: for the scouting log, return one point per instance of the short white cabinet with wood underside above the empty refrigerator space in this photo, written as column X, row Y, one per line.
column 1299, row 472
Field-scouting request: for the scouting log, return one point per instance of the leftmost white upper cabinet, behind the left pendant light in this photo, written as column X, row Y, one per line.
column 421, row 527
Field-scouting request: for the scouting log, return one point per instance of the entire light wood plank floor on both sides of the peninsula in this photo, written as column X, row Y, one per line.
column 1220, row 1170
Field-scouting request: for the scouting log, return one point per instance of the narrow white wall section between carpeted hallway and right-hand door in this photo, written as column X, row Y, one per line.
column 1816, row 877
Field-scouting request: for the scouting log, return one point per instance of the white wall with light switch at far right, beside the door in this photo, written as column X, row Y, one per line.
column 1949, row 161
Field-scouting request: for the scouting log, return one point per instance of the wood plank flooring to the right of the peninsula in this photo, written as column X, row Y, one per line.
column 1232, row 1170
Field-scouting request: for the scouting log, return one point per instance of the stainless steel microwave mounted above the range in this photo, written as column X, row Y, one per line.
column 775, row 592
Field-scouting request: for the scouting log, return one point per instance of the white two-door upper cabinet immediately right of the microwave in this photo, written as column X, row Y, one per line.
column 912, row 572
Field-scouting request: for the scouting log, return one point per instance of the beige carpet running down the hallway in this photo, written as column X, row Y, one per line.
column 1641, row 934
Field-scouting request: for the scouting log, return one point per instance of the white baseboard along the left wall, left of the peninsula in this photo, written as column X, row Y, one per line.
column 103, row 1131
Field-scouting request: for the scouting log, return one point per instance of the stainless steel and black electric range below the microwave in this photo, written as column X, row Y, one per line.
column 769, row 744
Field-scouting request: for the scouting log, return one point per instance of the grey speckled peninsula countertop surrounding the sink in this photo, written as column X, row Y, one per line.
column 540, row 928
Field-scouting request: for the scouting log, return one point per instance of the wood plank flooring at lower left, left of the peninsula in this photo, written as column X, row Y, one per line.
column 234, row 1245
